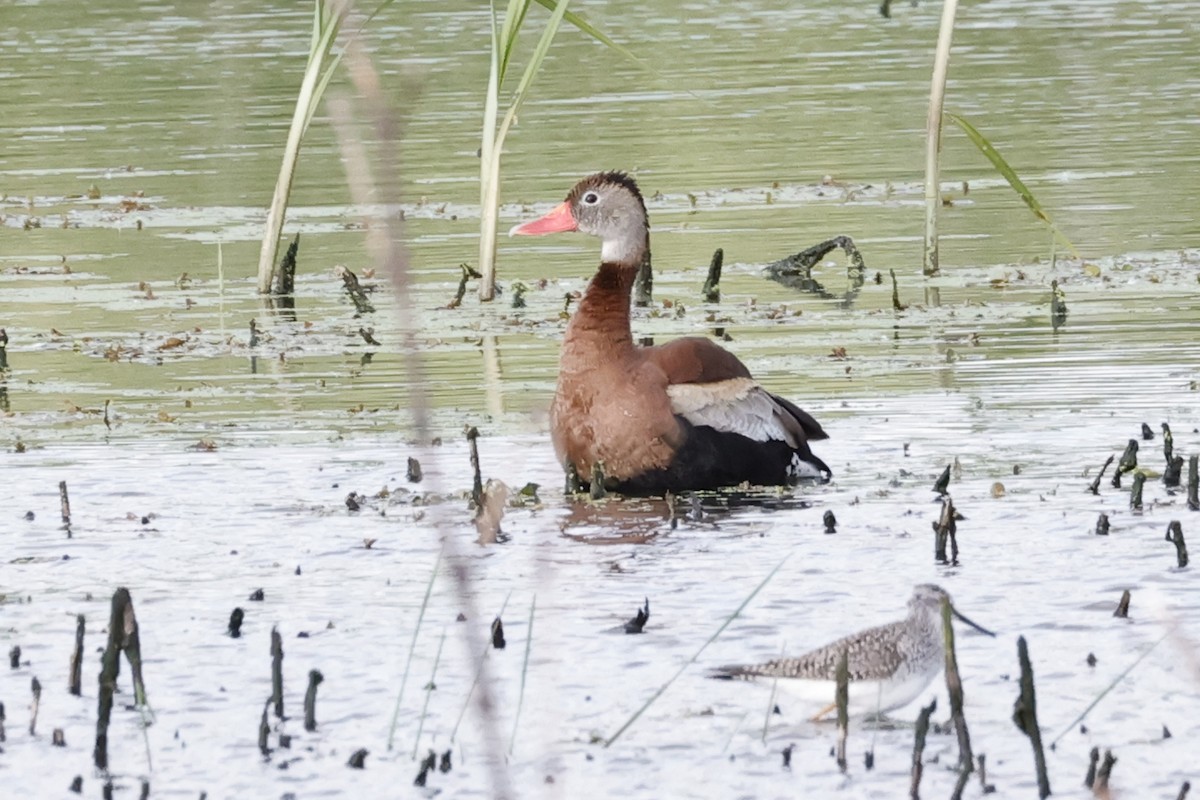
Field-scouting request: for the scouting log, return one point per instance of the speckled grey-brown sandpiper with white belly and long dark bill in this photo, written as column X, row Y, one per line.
column 890, row 665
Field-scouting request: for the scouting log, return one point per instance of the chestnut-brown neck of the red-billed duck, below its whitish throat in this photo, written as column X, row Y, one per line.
column 599, row 332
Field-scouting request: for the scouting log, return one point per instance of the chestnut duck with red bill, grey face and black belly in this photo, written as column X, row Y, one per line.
column 683, row 416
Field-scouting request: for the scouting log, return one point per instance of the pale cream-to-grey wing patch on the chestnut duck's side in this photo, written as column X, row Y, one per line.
column 735, row 406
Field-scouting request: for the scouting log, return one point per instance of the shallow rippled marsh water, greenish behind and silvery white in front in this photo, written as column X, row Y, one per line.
column 1095, row 105
